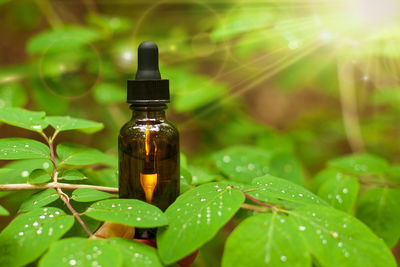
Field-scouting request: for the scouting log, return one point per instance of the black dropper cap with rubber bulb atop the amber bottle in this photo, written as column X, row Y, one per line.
column 148, row 87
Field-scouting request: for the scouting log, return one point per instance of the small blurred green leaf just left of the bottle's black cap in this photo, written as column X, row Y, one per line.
column 106, row 93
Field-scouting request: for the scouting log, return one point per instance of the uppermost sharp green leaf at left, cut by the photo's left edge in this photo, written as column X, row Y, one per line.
column 30, row 120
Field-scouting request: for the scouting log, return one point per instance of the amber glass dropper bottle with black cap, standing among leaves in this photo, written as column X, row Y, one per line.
column 148, row 143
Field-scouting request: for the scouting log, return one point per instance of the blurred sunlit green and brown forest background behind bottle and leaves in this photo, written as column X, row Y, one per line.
column 312, row 80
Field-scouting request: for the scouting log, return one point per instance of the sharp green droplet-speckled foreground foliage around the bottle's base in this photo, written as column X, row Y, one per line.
column 289, row 224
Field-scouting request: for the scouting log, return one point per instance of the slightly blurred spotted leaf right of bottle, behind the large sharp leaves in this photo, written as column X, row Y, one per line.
column 242, row 164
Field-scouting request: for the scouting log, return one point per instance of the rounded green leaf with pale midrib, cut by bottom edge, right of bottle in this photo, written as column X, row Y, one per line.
column 266, row 240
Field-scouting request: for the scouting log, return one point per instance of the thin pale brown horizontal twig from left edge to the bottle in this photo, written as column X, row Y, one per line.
column 55, row 185
